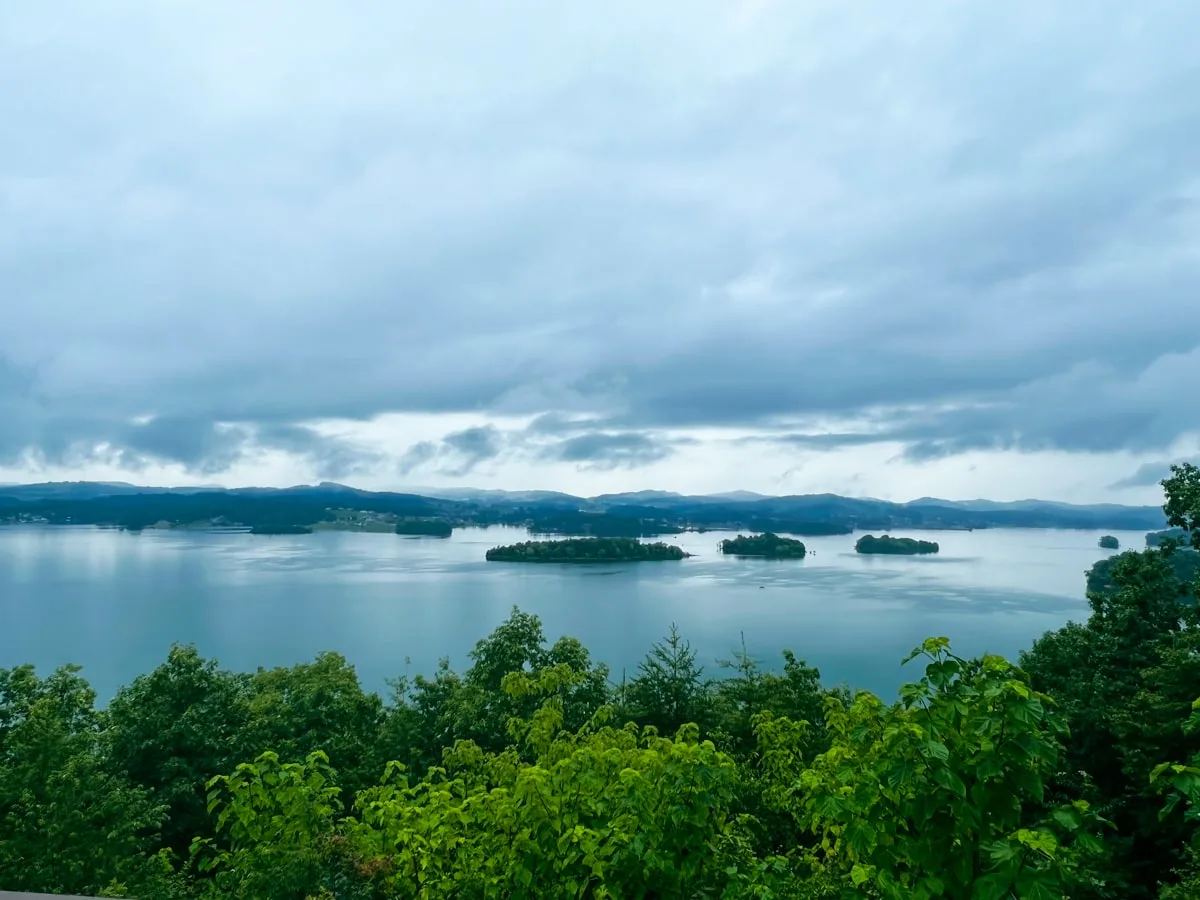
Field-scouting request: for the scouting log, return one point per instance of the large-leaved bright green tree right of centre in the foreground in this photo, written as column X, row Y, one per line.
column 941, row 795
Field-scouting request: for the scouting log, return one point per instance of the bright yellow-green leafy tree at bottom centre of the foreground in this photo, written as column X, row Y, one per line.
column 597, row 813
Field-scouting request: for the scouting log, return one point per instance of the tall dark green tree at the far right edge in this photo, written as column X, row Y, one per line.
column 1125, row 680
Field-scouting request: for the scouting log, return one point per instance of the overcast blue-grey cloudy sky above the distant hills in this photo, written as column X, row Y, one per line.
column 887, row 248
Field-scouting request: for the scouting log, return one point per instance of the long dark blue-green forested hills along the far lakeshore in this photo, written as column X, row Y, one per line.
column 657, row 512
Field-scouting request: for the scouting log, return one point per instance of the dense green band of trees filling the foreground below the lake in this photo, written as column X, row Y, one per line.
column 533, row 775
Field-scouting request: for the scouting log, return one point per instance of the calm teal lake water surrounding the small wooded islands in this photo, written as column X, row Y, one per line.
column 115, row 602
